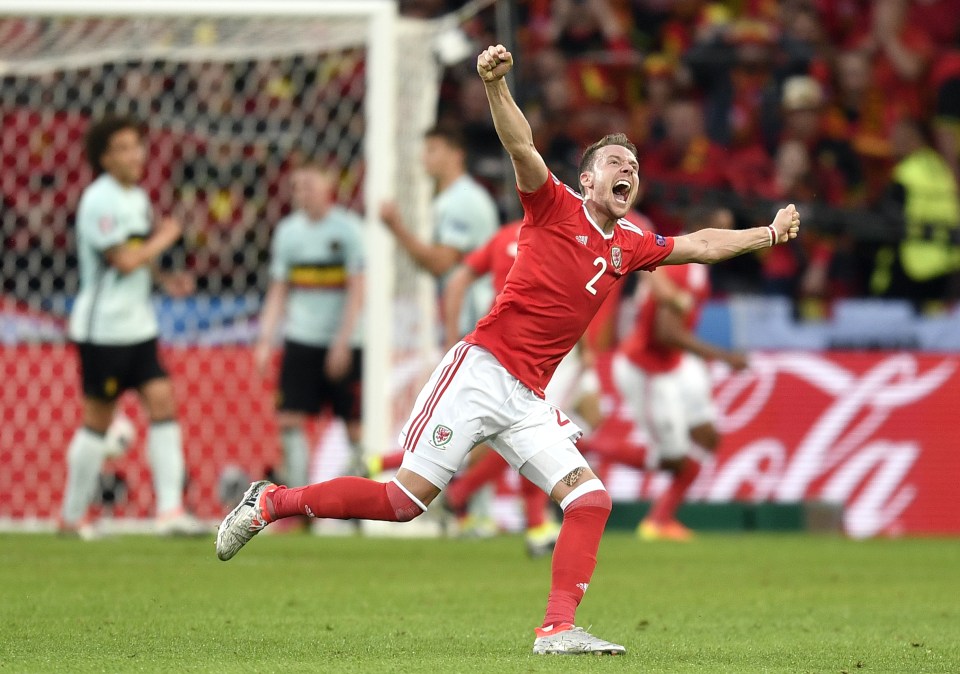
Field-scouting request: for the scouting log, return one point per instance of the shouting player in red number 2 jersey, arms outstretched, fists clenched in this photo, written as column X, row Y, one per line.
column 489, row 387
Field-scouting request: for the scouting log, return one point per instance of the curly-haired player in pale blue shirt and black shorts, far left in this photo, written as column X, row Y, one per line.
column 115, row 328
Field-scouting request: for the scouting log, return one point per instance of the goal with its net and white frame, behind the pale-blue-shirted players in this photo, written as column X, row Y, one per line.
column 233, row 96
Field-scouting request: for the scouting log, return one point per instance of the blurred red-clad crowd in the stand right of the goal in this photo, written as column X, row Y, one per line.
column 848, row 107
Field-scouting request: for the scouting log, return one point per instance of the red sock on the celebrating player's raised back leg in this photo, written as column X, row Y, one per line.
column 344, row 498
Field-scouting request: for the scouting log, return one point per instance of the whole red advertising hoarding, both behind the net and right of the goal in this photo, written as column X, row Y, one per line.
column 872, row 432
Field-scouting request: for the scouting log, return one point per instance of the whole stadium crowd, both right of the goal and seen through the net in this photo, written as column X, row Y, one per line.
column 848, row 107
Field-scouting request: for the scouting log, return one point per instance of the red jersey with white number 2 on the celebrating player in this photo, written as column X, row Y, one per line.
column 565, row 267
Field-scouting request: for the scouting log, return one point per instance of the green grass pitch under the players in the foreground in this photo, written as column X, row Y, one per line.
column 298, row 603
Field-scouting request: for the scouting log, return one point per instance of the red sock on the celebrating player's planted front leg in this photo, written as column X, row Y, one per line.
column 575, row 556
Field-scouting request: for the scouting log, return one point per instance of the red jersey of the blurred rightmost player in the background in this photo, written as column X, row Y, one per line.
column 642, row 347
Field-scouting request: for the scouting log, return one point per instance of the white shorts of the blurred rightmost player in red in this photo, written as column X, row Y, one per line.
column 668, row 404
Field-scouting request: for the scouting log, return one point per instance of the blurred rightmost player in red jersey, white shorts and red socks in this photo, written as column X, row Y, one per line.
column 660, row 372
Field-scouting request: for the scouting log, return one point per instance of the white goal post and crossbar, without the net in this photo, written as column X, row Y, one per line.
column 401, row 84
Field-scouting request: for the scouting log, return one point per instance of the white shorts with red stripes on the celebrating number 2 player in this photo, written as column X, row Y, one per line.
column 470, row 398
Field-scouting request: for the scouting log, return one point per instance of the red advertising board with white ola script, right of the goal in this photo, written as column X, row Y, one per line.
column 872, row 432
